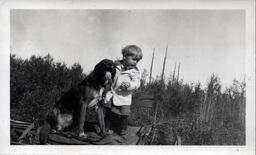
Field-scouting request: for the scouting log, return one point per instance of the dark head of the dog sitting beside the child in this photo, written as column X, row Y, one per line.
column 104, row 72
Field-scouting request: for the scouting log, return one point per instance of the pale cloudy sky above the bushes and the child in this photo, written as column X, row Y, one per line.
column 202, row 41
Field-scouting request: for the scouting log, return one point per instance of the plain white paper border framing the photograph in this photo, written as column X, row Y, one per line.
column 6, row 6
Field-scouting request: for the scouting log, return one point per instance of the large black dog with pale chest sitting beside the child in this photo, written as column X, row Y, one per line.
column 71, row 108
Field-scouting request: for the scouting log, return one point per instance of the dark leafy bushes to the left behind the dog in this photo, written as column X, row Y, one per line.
column 36, row 83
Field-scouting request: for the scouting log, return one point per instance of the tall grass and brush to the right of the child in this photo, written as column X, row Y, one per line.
column 201, row 116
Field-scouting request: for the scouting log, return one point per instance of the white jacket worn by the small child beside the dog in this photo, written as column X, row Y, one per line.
column 124, row 97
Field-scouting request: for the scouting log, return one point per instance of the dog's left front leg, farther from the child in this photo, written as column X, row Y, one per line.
column 82, row 118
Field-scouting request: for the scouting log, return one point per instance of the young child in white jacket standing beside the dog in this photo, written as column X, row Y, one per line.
column 127, row 80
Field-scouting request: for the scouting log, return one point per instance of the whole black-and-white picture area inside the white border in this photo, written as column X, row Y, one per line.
column 127, row 77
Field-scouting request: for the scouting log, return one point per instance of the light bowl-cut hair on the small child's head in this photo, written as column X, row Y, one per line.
column 132, row 50
